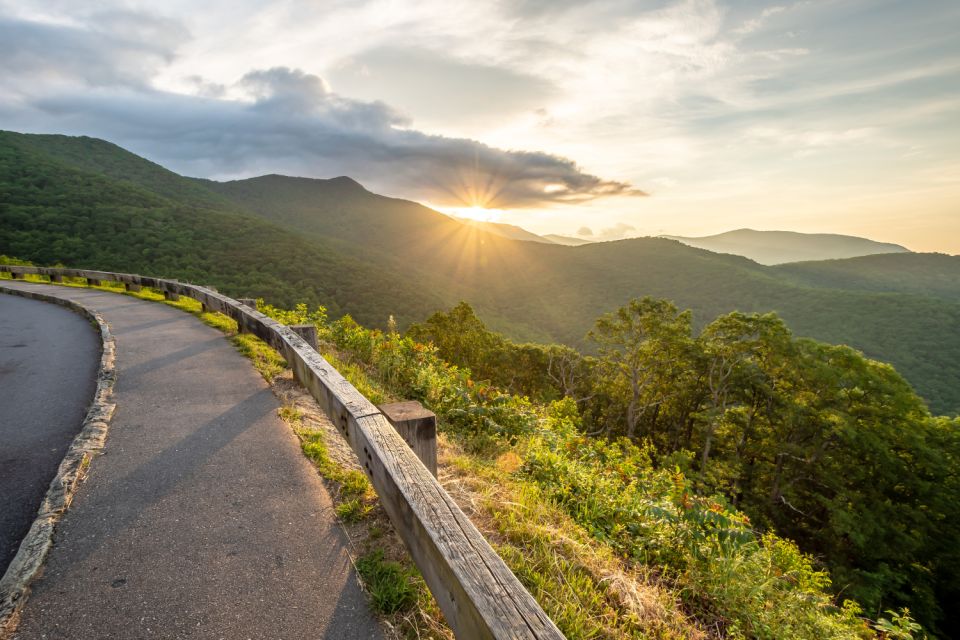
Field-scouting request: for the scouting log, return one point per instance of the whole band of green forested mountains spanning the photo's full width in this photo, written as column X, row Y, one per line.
column 88, row 203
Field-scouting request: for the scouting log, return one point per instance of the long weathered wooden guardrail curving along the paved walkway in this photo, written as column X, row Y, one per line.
column 479, row 596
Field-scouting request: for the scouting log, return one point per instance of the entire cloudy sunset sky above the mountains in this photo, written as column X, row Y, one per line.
column 601, row 120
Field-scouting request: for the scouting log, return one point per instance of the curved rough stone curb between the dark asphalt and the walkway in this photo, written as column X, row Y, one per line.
column 26, row 565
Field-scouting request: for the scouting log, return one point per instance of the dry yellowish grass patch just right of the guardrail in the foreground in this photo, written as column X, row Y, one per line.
column 583, row 586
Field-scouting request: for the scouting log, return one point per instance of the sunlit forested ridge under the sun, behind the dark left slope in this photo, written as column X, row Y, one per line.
column 548, row 293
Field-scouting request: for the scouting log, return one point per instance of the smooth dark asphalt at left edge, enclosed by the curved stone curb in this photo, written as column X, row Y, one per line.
column 48, row 368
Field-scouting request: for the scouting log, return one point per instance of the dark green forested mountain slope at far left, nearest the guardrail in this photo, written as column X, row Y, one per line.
column 91, row 204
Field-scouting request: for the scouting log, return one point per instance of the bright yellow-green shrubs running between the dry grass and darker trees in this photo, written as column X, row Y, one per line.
column 760, row 586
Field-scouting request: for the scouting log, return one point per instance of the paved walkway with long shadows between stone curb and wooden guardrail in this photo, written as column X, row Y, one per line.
column 201, row 519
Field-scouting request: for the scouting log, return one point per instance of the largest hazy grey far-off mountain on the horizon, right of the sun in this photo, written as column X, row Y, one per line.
column 778, row 247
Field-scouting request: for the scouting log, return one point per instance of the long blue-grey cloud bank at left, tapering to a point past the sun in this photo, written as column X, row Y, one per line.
column 291, row 123
